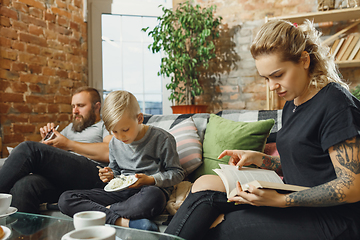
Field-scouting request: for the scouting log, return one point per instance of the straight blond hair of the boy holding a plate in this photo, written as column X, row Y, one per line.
column 116, row 104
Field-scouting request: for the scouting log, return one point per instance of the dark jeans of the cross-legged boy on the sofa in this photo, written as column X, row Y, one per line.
column 144, row 202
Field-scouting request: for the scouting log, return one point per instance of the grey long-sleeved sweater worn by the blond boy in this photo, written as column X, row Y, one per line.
column 154, row 155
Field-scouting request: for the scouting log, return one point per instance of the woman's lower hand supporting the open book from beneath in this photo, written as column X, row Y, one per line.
column 258, row 197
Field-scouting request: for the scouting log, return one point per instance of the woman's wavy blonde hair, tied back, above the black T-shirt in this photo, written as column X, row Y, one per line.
column 290, row 41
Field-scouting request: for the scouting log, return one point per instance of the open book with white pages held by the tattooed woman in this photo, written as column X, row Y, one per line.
column 259, row 178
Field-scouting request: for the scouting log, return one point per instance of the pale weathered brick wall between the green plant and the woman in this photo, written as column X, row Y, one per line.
column 239, row 87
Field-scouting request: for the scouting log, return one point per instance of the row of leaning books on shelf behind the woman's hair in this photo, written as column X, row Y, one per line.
column 346, row 48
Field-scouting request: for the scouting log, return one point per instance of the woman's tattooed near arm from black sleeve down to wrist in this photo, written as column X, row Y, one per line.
column 332, row 193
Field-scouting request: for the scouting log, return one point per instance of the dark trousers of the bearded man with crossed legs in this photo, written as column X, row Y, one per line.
column 35, row 173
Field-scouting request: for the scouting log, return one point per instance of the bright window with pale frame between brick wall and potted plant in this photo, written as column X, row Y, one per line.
column 124, row 62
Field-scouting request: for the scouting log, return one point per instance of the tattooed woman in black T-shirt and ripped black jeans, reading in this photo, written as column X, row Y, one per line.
column 319, row 147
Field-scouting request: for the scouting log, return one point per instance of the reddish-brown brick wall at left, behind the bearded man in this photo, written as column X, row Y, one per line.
column 43, row 57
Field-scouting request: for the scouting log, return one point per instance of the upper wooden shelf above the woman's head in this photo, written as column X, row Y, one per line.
column 345, row 14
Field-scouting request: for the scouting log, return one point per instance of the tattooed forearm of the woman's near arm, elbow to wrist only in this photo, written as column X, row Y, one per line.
column 328, row 194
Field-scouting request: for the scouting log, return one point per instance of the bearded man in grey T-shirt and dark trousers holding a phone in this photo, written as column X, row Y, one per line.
column 38, row 172
